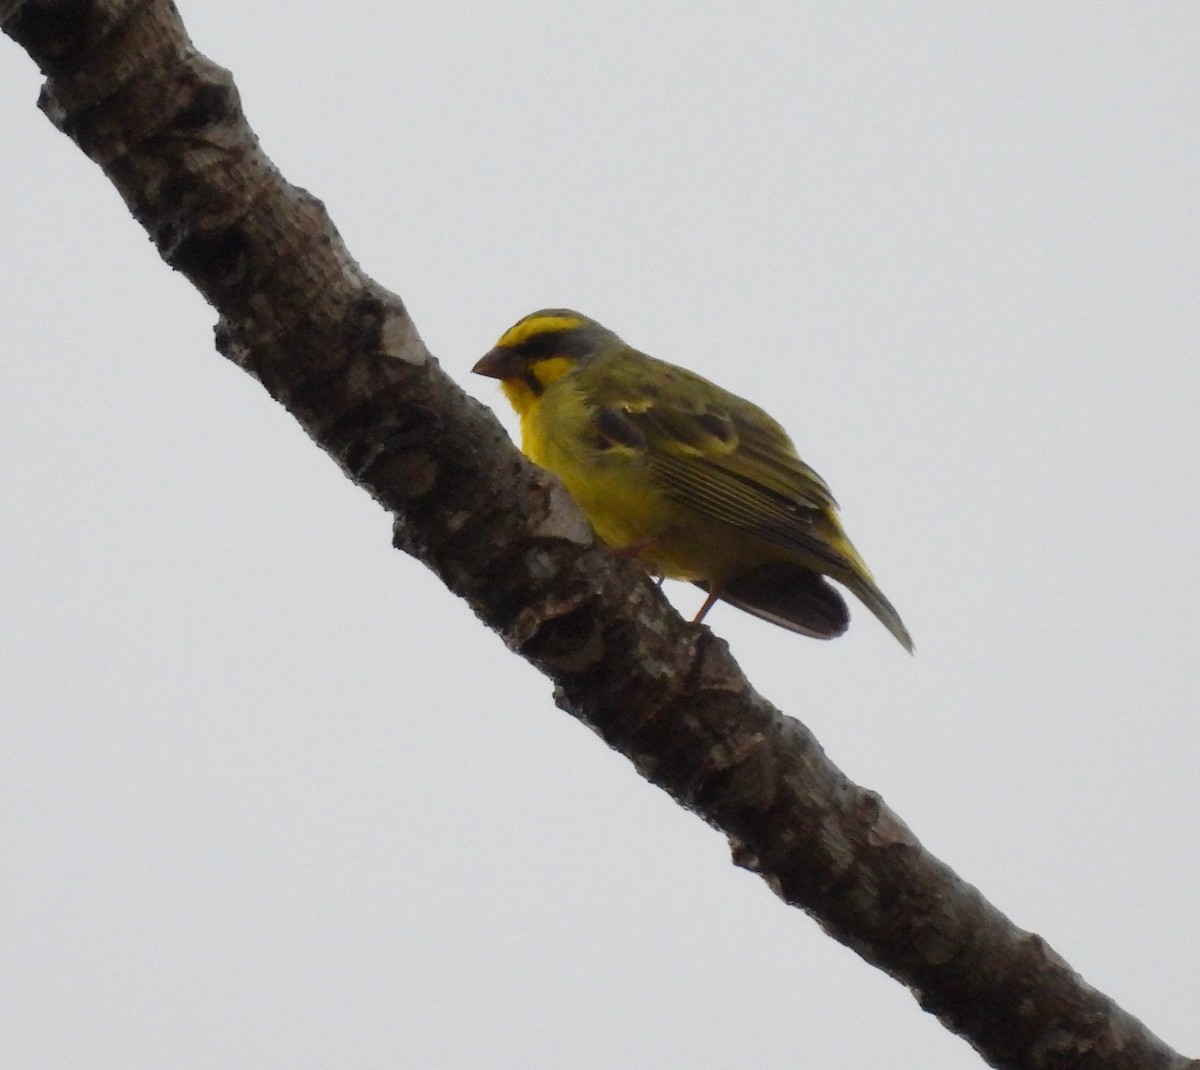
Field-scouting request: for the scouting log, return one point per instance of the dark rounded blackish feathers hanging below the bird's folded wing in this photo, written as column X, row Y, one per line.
column 791, row 597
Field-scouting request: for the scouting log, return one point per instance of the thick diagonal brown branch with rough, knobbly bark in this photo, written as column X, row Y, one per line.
column 340, row 352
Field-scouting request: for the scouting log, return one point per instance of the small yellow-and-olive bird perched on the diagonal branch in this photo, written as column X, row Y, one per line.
column 693, row 482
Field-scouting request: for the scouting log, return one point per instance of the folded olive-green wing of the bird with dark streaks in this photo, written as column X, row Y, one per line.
column 717, row 453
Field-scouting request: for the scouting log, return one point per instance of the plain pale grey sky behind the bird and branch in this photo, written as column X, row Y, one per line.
column 271, row 797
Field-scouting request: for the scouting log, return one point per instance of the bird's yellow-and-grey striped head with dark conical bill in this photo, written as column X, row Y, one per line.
column 542, row 348
